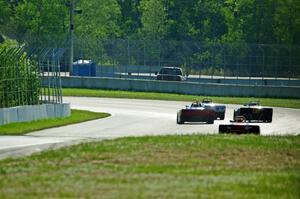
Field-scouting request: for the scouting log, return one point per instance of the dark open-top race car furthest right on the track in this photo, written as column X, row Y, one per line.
column 253, row 112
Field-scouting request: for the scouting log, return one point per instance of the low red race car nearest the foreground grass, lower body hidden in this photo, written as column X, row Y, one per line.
column 239, row 126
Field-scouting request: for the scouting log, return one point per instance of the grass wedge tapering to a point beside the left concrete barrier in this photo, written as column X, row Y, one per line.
column 26, row 127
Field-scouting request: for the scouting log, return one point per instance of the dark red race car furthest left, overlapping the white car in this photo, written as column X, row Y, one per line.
column 196, row 113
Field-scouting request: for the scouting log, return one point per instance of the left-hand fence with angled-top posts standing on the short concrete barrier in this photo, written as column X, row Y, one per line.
column 21, row 69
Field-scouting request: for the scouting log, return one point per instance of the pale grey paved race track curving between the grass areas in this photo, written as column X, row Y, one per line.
column 133, row 118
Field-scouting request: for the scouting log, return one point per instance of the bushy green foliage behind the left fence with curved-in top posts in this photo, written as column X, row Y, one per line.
column 19, row 81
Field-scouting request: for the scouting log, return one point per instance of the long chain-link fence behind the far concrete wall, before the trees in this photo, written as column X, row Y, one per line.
column 146, row 57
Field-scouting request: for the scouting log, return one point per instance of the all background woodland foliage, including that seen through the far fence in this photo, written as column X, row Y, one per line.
column 105, row 27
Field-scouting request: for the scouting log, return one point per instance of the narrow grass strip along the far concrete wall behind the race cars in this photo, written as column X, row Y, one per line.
column 276, row 102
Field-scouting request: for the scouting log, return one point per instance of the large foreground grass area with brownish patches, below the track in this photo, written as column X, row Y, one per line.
column 222, row 166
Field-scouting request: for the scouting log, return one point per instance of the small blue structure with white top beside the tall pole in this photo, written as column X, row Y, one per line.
column 84, row 68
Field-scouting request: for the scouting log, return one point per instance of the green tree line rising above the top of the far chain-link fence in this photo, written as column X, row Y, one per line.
column 218, row 21
